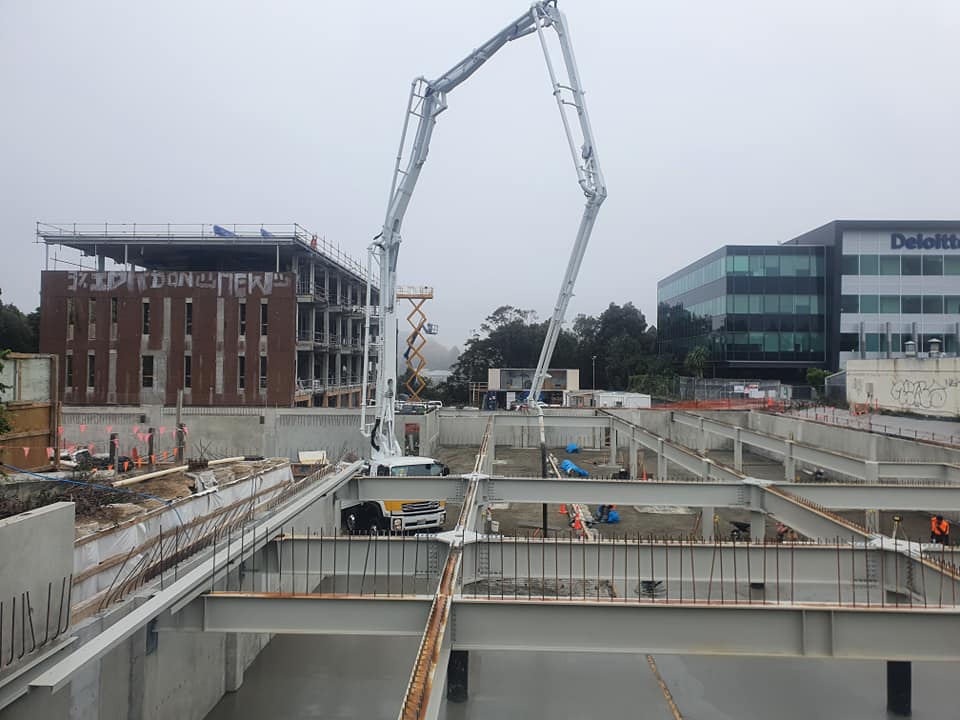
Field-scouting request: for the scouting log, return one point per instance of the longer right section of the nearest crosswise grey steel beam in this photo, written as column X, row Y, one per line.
column 849, row 633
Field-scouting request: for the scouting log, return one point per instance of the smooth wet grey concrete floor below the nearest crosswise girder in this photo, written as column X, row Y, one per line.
column 359, row 677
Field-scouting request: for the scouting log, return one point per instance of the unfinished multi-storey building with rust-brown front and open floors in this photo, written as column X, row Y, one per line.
column 232, row 315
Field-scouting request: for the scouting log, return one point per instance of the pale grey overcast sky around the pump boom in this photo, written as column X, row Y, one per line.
column 716, row 123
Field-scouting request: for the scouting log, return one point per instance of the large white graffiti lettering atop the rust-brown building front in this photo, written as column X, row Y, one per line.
column 224, row 283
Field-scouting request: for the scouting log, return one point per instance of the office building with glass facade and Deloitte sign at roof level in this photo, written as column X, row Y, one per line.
column 848, row 289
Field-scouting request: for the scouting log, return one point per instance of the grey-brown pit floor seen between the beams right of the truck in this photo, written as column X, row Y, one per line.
column 665, row 522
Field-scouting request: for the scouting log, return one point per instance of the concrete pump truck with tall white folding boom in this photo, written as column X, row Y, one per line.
column 428, row 98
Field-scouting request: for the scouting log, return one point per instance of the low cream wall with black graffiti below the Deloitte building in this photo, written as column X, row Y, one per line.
column 923, row 386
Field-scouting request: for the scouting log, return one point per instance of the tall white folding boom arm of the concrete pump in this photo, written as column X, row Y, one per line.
column 427, row 101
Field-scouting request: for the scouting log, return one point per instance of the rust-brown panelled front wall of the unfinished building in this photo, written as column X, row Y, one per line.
column 204, row 289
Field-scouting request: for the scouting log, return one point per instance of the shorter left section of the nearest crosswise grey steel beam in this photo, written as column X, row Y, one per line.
column 315, row 614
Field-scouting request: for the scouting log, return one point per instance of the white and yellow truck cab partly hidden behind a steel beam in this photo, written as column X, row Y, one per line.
column 398, row 516
